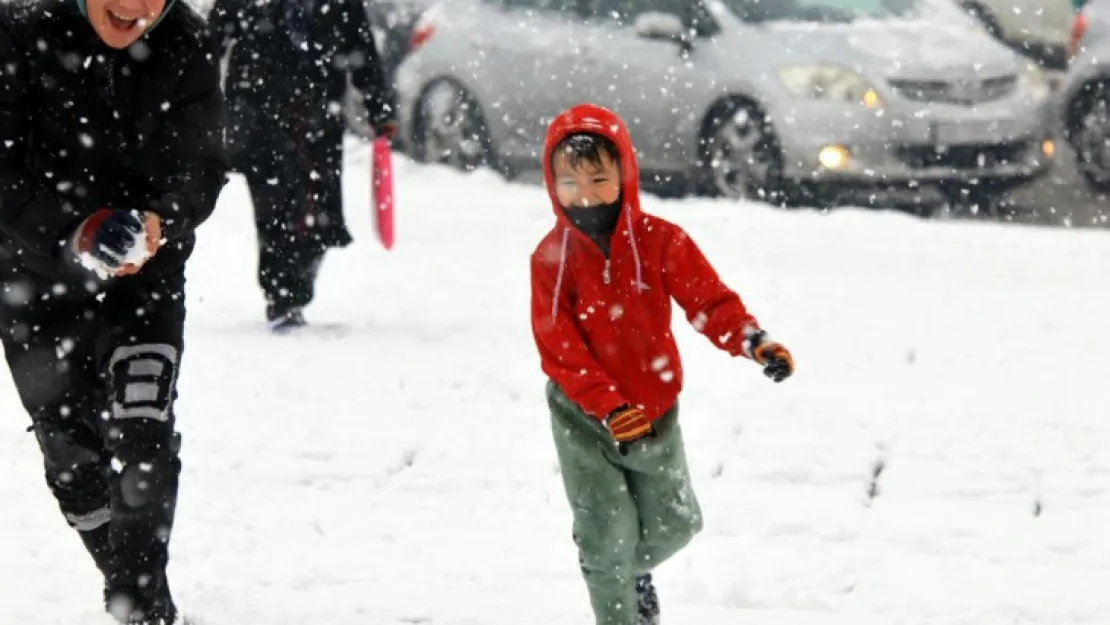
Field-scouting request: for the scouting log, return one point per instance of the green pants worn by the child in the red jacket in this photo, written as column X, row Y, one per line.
column 631, row 512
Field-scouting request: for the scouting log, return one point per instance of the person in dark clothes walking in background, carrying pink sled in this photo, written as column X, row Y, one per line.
column 286, row 86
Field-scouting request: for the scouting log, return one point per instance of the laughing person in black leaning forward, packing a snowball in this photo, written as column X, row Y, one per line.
column 113, row 157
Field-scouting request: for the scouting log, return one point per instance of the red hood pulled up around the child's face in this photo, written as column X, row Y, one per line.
column 598, row 120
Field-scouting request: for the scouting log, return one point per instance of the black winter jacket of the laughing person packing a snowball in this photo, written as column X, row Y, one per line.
column 85, row 127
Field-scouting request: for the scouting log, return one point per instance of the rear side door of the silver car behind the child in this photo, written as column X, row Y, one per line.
column 531, row 62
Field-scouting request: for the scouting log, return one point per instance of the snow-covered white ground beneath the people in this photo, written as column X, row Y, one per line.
column 395, row 465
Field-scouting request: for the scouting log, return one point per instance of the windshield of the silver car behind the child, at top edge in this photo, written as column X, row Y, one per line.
column 825, row 12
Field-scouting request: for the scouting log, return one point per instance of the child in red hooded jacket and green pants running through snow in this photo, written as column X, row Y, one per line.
column 602, row 285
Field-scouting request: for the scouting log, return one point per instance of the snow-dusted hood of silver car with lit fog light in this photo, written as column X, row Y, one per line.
column 922, row 51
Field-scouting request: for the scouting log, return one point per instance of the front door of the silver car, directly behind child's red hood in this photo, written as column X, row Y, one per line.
column 643, row 78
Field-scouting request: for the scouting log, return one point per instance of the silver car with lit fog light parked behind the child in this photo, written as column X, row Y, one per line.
column 771, row 99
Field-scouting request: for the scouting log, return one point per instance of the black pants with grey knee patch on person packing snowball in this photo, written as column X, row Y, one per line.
column 99, row 381
